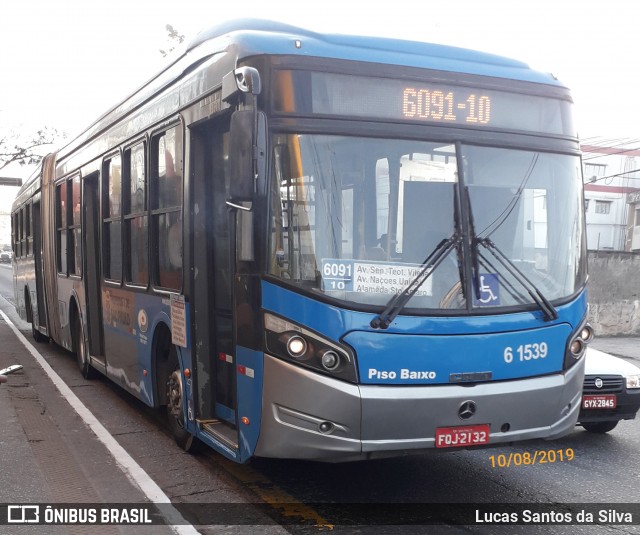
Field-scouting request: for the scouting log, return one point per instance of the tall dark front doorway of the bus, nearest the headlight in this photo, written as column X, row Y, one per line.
column 212, row 283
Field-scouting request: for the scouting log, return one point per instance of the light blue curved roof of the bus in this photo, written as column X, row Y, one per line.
column 243, row 38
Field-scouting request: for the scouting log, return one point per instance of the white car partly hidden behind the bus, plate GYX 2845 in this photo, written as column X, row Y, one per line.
column 611, row 392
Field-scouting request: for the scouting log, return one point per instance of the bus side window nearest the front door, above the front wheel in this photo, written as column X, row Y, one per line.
column 166, row 208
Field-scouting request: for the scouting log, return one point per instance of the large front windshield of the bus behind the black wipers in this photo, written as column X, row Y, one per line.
column 355, row 218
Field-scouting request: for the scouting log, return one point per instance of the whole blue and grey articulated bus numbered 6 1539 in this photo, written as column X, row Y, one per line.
column 322, row 247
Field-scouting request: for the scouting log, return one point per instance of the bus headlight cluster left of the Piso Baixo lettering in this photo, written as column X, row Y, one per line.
column 293, row 343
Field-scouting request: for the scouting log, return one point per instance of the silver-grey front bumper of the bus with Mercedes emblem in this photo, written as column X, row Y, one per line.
column 309, row 416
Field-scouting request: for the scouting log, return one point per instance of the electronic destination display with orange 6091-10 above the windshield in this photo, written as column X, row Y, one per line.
column 323, row 93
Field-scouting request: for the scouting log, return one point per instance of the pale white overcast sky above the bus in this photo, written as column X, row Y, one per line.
column 63, row 63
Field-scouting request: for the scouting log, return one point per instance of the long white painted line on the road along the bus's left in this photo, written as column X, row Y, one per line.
column 127, row 464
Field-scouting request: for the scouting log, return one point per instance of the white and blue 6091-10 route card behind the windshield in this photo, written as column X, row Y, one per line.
column 383, row 278
